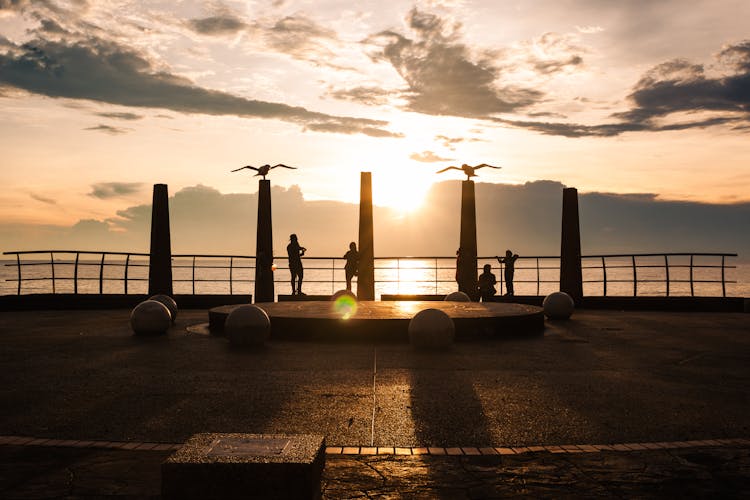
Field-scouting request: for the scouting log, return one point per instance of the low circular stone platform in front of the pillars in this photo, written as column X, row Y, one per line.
column 389, row 320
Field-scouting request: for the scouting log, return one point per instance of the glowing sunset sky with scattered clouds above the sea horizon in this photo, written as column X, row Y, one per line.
column 629, row 101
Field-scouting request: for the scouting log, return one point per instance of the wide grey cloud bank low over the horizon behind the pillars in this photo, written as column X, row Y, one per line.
column 204, row 220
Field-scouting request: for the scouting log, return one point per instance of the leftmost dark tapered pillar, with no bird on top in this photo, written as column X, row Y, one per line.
column 160, row 255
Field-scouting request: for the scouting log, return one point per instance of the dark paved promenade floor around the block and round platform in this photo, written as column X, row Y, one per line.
column 602, row 378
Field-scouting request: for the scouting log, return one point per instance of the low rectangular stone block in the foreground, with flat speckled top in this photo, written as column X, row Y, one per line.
column 227, row 466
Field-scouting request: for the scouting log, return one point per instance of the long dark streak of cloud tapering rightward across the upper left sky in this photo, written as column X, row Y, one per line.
column 102, row 70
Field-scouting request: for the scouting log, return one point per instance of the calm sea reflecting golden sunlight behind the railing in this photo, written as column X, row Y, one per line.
column 426, row 276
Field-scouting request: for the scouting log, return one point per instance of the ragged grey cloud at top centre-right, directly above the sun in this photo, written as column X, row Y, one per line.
column 443, row 76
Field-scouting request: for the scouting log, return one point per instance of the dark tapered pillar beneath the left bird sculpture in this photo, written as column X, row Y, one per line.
column 264, row 245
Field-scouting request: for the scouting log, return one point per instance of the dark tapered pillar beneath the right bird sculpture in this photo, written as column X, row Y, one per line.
column 467, row 263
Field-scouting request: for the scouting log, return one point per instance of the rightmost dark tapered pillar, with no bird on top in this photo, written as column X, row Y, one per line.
column 571, row 279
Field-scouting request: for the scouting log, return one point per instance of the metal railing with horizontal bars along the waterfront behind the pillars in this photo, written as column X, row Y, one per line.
column 392, row 274
